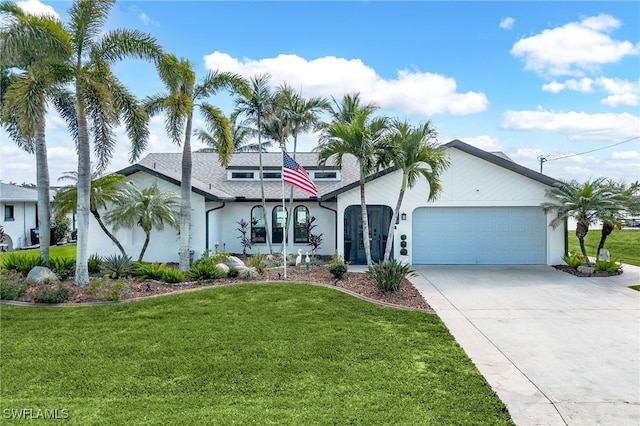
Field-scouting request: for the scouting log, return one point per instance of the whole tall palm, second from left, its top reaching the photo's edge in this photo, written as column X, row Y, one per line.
column 101, row 101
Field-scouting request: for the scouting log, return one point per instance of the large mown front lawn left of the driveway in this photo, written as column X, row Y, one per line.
column 248, row 354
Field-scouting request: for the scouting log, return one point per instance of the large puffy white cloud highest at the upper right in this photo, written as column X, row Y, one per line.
column 574, row 48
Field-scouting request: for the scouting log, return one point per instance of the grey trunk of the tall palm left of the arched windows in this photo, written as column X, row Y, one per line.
column 185, row 199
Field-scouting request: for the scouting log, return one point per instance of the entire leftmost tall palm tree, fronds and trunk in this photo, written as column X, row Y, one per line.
column 36, row 47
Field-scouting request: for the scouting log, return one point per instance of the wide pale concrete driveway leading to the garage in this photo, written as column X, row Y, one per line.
column 557, row 349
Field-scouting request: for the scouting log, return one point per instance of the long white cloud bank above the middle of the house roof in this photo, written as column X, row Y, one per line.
column 412, row 92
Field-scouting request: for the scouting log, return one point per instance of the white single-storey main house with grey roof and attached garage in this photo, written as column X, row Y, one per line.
column 487, row 213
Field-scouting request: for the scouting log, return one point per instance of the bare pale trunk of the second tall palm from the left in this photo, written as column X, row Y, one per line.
column 84, row 192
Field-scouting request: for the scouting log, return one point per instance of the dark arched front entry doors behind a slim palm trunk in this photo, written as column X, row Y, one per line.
column 379, row 220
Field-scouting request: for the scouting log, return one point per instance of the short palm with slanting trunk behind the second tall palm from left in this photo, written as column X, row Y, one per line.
column 104, row 189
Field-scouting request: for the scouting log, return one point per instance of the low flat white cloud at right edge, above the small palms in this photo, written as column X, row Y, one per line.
column 575, row 125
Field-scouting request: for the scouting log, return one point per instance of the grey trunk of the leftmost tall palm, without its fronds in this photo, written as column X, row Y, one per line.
column 44, row 202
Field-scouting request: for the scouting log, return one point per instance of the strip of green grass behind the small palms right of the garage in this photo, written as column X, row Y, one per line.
column 622, row 244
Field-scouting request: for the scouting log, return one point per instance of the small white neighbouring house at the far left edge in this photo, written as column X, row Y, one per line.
column 19, row 210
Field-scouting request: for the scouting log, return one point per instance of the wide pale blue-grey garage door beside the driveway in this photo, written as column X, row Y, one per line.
column 479, row 235
